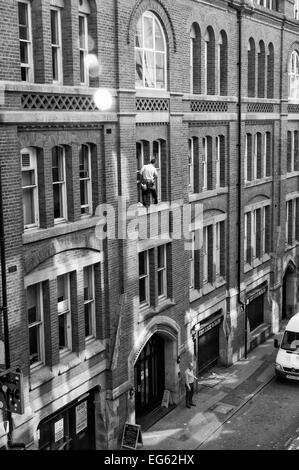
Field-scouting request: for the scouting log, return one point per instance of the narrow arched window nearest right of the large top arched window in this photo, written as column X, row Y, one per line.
column 195, row 54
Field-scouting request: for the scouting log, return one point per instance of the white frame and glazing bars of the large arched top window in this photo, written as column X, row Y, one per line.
column 153, row 50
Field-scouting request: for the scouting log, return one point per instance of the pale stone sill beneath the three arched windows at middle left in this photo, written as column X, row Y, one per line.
column 39, row 234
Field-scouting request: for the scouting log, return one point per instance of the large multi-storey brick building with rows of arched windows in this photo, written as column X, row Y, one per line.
column 101, row 327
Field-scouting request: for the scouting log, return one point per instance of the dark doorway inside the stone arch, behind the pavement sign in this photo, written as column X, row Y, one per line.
column 150, row 376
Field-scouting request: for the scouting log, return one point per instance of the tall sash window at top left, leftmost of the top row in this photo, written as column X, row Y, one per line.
column 25, row 36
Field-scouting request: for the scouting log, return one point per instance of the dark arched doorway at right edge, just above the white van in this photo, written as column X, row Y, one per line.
column 289, row 292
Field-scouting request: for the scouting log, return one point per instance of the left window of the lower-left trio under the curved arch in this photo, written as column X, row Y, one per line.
column 35, row 324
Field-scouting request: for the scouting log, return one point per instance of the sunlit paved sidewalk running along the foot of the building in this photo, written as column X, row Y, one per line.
column 222, row 392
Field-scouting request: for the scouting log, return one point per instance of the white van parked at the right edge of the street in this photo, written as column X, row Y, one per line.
column 287, row 359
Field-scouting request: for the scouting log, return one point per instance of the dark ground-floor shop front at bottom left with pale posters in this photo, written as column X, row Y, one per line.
column 71, row 428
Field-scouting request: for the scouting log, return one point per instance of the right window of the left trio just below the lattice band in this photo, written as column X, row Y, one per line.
column 85, row 179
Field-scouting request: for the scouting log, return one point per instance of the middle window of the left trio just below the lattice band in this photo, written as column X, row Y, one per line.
column 59, row 184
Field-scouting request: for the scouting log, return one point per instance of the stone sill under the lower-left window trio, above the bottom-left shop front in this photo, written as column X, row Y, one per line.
column 43, row 374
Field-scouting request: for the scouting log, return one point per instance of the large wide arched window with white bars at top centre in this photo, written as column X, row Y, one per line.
column 150, row 53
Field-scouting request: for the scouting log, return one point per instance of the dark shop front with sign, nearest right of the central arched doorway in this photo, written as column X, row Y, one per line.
column 207, row 342
